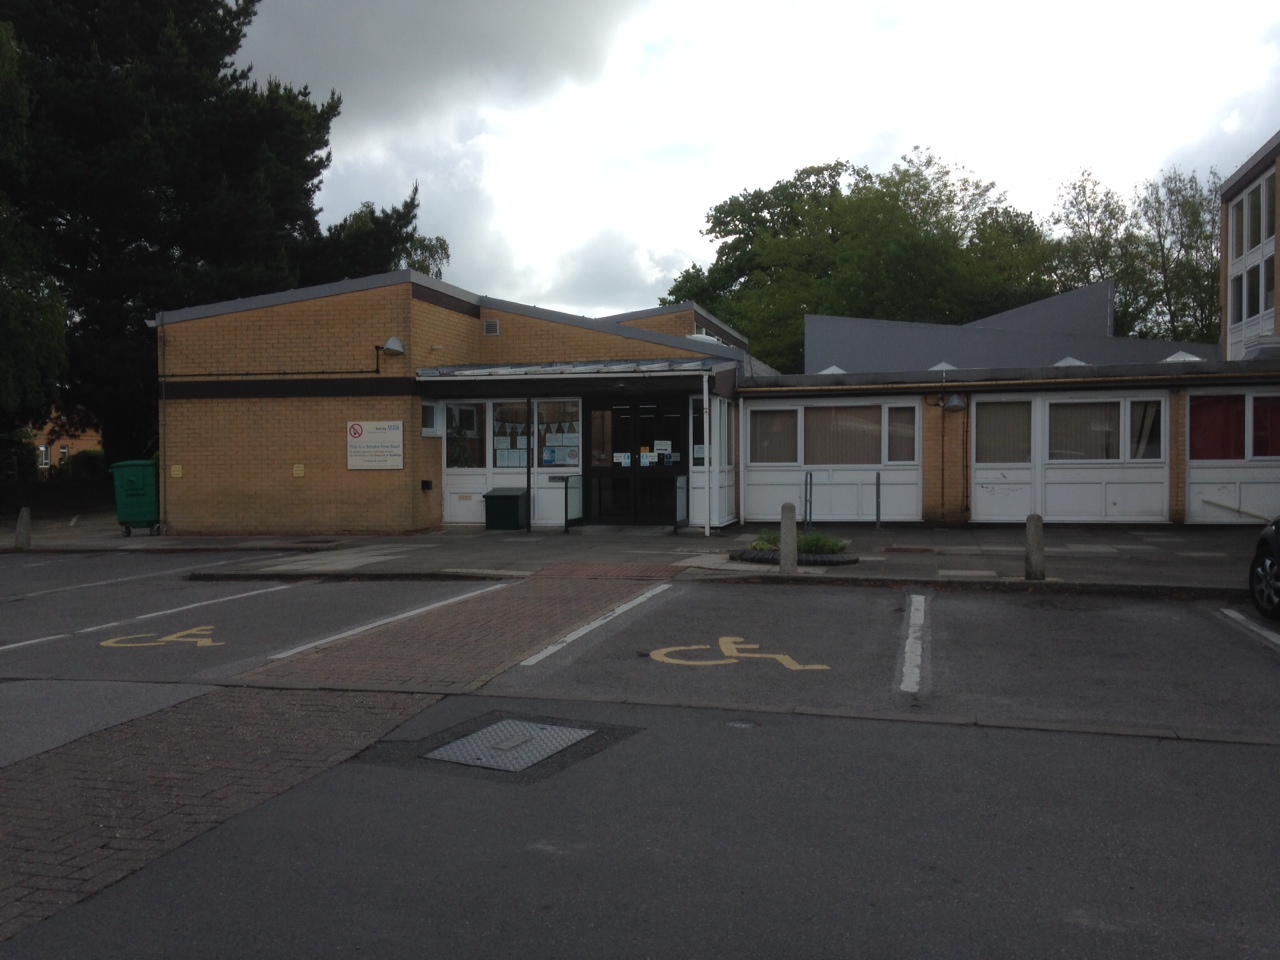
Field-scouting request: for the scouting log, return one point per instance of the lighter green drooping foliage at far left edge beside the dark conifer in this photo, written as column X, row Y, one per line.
column 33, row 314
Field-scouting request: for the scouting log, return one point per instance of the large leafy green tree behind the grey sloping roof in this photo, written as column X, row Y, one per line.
column 920, row 243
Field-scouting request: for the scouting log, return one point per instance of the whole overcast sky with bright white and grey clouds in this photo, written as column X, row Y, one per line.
column 569, row 150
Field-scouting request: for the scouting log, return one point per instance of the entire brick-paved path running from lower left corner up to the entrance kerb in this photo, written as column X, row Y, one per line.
column 84, row 816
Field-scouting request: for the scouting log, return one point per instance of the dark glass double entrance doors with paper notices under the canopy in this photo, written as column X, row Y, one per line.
column 637, row 452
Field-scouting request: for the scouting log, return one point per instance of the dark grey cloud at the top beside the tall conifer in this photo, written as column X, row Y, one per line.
column 396, row 62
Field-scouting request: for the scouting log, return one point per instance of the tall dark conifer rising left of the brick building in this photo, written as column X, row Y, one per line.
column 161, row 176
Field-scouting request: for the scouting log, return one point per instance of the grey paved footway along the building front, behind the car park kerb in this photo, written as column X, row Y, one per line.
column 1118, row 559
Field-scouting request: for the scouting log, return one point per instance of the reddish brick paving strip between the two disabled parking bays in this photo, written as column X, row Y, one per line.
column 456, row 648
